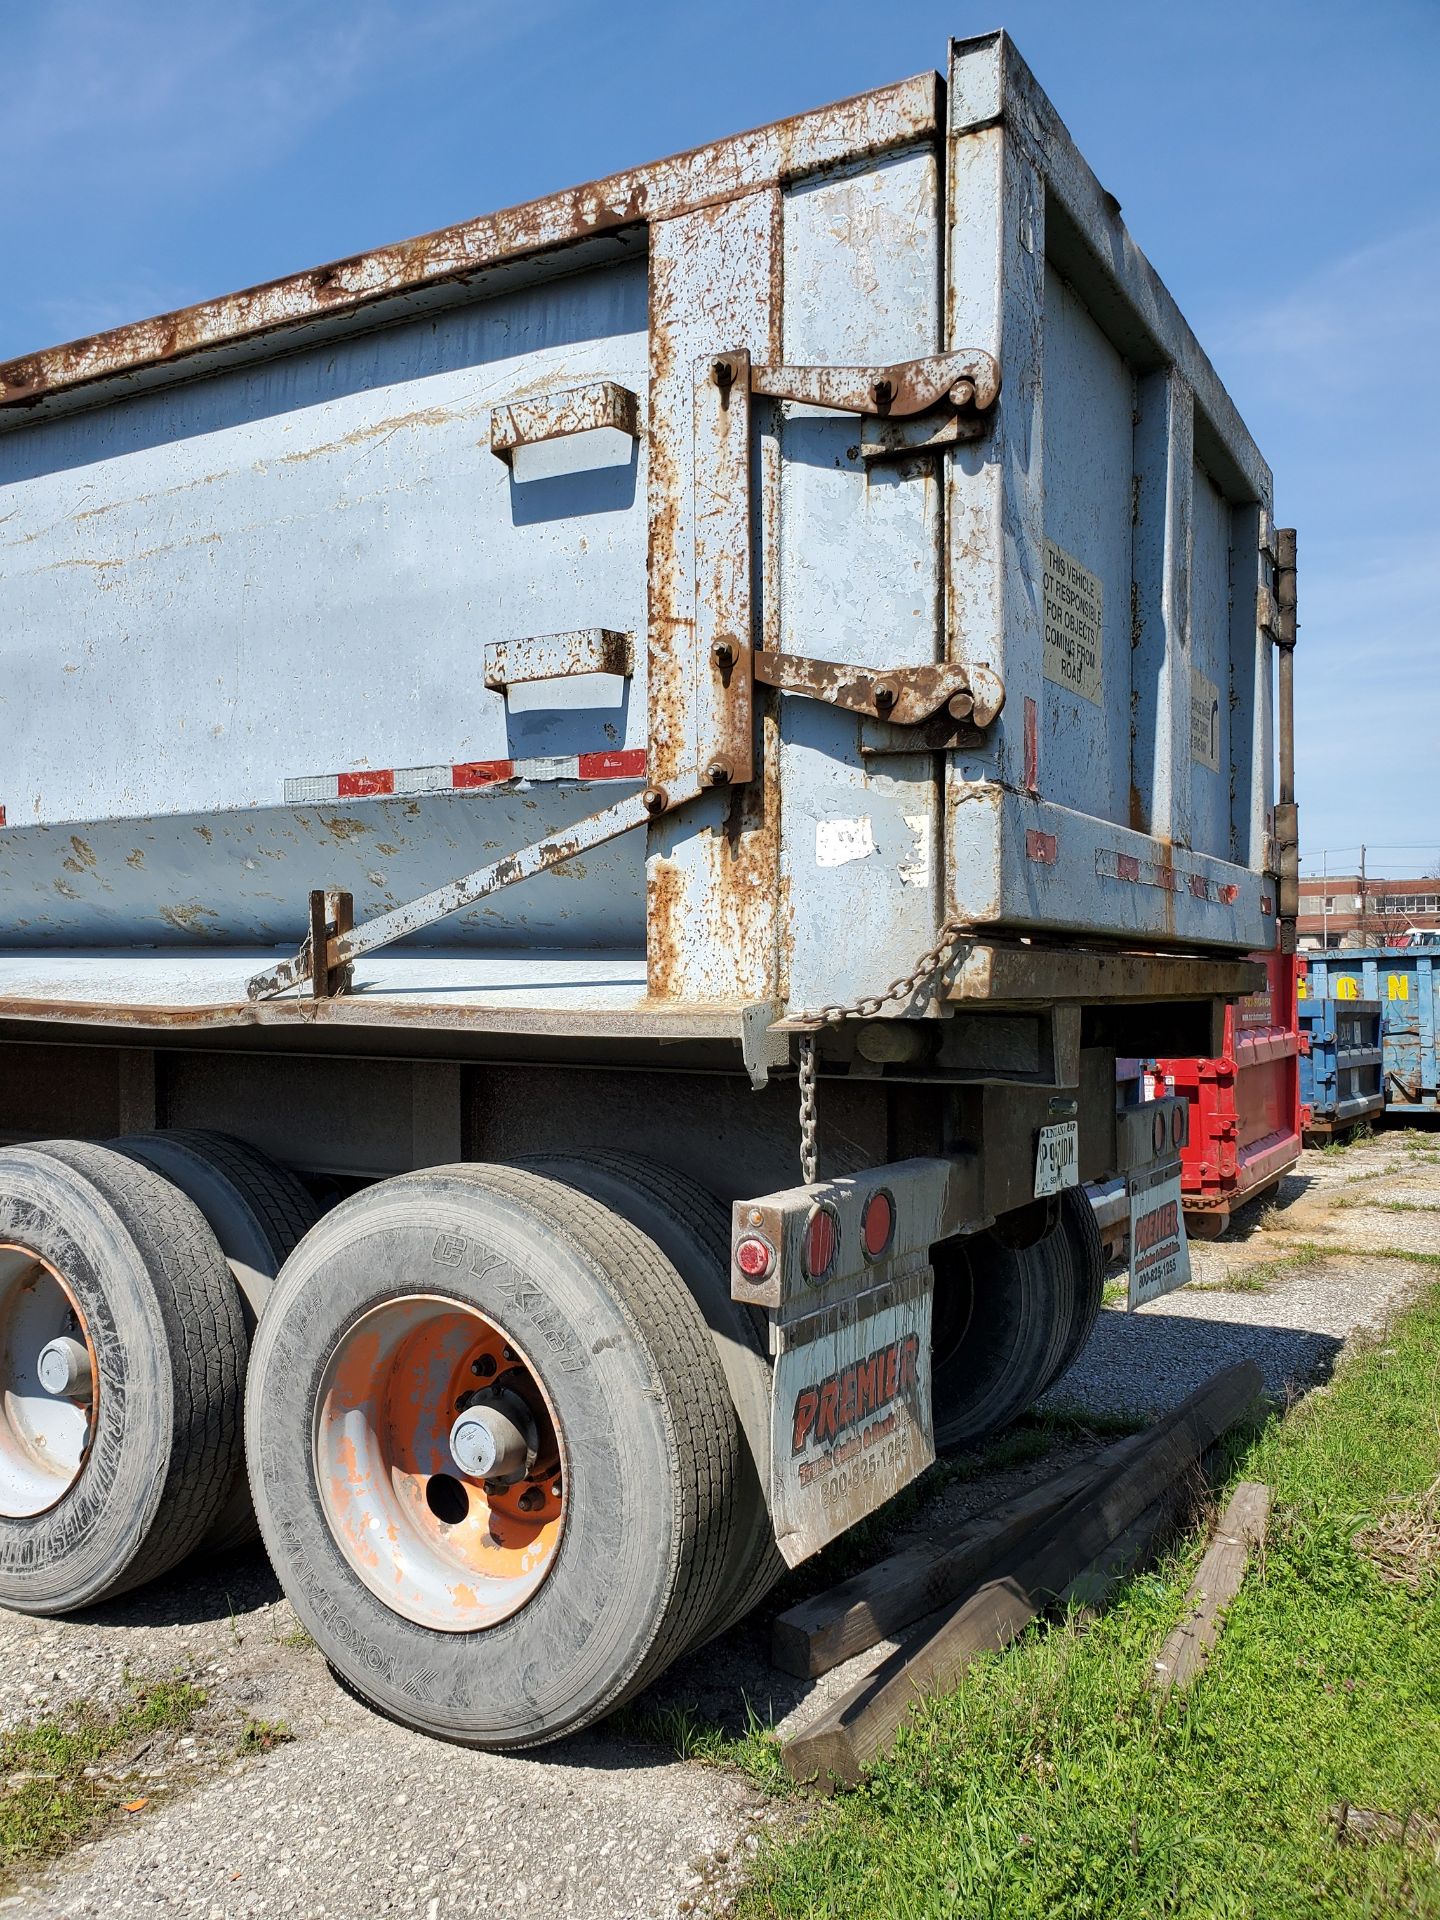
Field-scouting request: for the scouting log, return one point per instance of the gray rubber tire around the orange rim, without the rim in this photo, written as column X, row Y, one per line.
column 644, row 1428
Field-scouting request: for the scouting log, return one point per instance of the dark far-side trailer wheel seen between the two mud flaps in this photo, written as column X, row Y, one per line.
column 1001, row 1320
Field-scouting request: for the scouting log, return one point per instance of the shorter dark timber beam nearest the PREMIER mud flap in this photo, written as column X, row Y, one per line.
column 880, row 1602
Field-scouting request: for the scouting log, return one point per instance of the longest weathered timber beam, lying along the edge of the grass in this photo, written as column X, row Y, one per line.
column 863, row 1723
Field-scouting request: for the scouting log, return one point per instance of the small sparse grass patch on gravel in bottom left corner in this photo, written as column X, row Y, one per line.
column 47, row 1796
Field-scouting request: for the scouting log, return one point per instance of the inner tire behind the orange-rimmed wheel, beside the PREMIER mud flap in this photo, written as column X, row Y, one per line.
column 692, row 1230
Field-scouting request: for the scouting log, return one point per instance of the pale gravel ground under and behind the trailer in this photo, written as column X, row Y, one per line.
column 356, row 1817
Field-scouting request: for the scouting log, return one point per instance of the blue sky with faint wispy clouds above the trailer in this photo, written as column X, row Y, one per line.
column 1278, row 160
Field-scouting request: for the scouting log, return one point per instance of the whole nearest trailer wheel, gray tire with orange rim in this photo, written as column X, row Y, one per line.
column 492, row 1452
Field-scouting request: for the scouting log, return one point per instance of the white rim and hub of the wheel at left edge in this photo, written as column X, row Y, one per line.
column 49, row 1385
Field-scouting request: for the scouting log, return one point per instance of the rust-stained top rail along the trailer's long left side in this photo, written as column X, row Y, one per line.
column 706, row 178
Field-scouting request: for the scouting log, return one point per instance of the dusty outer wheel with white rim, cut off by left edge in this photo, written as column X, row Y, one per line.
column 155, row 1303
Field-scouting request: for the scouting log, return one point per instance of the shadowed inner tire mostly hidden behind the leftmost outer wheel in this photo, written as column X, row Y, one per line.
column 258, row 1211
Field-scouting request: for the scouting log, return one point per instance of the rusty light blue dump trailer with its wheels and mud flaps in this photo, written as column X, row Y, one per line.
column 590, row 804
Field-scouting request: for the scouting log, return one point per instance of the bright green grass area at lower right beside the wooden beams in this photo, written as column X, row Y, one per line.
column 1055, row 1787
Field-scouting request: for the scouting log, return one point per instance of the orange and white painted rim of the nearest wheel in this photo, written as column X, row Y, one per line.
column 435, row 1537
